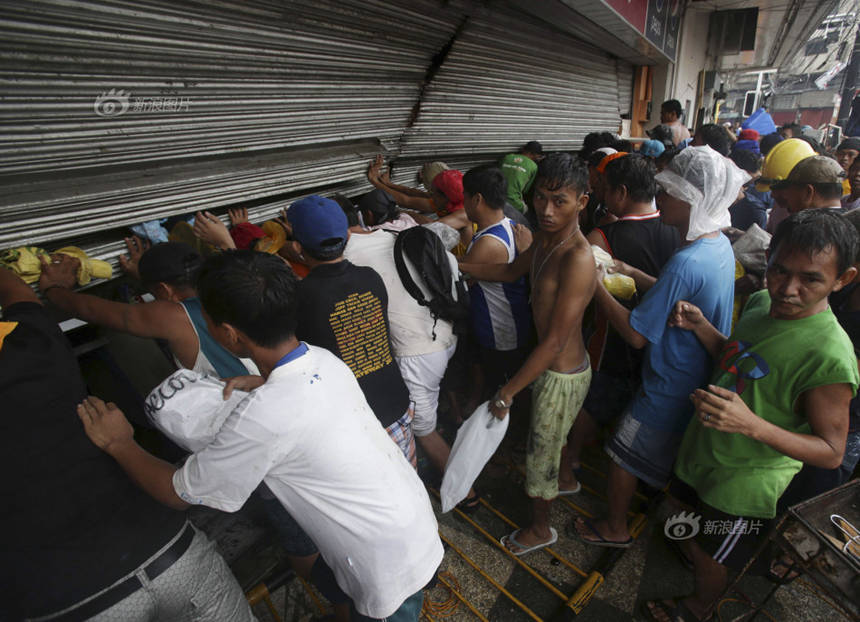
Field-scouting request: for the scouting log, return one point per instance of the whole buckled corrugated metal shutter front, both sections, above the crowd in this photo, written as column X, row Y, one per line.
column 116, row 112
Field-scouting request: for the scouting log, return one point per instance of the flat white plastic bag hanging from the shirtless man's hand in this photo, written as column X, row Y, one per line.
column 477, row 441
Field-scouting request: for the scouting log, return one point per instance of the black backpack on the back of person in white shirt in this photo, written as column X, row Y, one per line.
column 427, row 253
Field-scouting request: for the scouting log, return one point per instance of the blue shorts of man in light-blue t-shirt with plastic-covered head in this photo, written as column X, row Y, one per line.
column 643, row 451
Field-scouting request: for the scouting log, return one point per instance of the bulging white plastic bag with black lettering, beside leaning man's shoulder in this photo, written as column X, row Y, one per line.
column 189, row 408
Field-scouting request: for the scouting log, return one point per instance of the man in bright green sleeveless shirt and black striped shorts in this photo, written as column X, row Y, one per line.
column 778, row 399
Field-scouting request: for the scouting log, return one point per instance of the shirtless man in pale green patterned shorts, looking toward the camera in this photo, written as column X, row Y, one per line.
column 563, row 280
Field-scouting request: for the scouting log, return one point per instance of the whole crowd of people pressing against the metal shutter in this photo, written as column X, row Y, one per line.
column 734, row 387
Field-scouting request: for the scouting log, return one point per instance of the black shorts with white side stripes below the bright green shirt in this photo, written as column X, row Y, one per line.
column 729, row 539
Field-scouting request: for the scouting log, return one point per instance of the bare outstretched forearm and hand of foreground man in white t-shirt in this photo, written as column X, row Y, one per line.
column 111, row 432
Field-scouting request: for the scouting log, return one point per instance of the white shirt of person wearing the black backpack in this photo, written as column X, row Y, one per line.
column 411, row 324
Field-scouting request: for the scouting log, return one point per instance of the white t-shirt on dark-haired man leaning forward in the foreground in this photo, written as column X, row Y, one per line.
column 309, row 434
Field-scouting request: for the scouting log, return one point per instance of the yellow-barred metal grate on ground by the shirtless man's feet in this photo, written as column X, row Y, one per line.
column 556, row 582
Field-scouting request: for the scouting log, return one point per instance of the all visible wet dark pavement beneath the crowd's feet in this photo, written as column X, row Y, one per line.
column 500, row 588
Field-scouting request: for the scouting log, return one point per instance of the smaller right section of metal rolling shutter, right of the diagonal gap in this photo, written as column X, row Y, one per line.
column 510, row 79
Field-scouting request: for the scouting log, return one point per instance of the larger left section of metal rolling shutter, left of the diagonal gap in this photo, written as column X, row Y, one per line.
column 267, row 98
